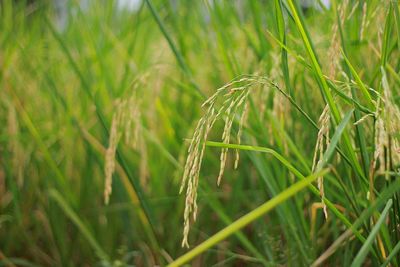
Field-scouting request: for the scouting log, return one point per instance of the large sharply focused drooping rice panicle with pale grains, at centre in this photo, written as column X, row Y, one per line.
column 233, row 98
